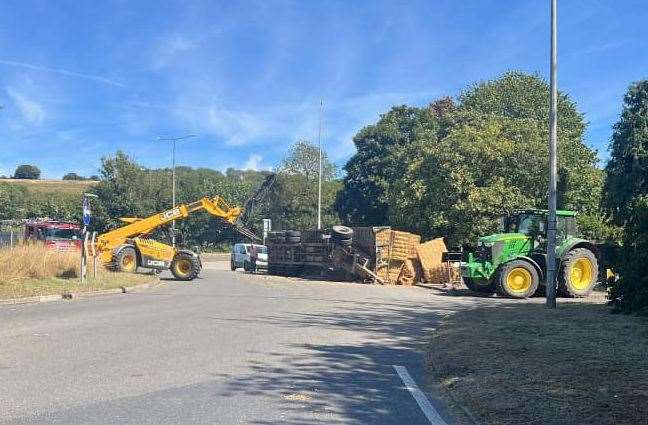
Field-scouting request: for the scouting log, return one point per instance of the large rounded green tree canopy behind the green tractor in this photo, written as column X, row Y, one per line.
column 453, row 169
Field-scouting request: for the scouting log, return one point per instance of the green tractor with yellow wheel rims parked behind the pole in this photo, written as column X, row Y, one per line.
column 514, row 263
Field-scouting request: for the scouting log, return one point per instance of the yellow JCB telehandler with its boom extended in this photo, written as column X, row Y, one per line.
column 127, row 247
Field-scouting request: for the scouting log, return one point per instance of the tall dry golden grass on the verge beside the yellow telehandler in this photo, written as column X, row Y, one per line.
column 33, row 270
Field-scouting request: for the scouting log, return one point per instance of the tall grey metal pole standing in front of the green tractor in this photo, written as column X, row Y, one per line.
column 553, row 134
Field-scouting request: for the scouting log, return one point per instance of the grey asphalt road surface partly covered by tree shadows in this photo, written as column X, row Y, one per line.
column 228, row 348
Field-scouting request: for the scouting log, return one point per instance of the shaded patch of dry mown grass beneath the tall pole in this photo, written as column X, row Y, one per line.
column 519, row 363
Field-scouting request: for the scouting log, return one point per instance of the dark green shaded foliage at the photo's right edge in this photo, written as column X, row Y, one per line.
column 626, row 199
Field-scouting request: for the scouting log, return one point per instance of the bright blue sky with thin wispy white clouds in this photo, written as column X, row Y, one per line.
column 82, row 79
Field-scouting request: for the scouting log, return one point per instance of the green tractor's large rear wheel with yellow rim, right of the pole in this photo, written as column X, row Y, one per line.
column 578, row 273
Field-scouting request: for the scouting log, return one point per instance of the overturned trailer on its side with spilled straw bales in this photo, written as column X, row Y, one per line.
column 369, row 254
